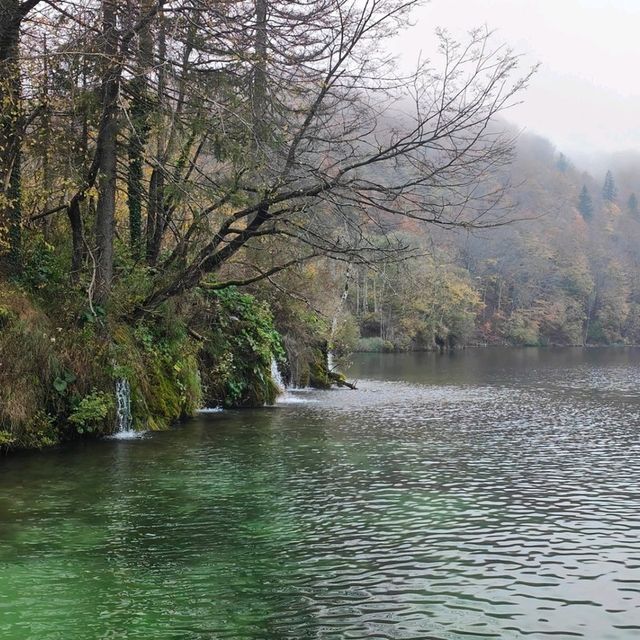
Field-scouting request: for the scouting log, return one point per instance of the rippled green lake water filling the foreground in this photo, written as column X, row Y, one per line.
column 484, row 494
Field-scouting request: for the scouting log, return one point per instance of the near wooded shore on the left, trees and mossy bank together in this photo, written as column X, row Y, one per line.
column 185, row 186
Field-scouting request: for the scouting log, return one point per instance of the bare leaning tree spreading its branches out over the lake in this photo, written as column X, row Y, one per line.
column 343, row 151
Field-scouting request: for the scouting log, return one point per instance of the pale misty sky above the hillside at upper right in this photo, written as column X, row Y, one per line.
column 586, row 95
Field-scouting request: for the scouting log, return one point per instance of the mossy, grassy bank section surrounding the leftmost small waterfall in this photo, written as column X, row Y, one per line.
column 65, row 388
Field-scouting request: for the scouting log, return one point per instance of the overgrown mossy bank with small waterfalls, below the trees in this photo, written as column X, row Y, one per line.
column 60, row 363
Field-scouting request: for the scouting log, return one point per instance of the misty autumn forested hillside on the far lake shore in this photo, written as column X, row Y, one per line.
column 565, row 273
